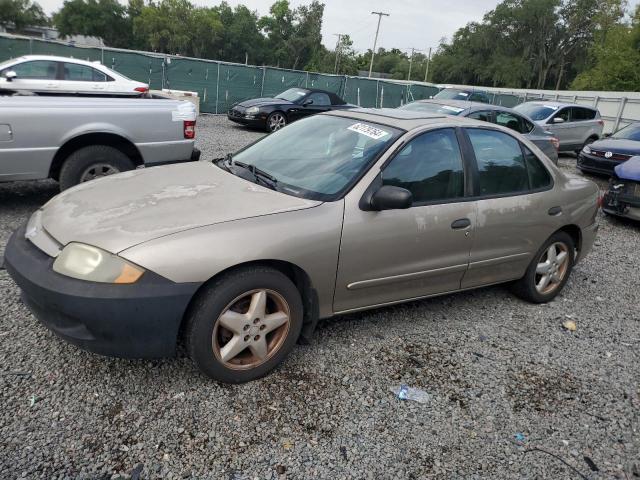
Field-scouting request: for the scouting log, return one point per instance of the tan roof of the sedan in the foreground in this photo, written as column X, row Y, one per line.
column 403, row 119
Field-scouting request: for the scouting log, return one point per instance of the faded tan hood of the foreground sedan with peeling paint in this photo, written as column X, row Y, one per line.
column 123, row 210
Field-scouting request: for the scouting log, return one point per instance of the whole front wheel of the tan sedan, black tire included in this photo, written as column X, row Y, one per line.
column 220, row 324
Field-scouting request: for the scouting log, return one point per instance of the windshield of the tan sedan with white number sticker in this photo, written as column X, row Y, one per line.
column 319, row 157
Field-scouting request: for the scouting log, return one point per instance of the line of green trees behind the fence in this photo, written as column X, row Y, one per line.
column 543, row 44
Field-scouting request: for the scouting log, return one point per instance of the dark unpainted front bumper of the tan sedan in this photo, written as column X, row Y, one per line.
column 133, row 321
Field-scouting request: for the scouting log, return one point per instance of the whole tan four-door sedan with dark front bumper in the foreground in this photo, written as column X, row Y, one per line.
column 238, row 258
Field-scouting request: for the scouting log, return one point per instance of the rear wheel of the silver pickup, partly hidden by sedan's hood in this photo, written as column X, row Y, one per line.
column 105, row 160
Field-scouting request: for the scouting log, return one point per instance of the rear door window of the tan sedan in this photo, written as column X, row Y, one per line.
column 501, row 165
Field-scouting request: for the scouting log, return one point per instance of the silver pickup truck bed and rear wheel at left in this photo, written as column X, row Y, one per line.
column 76, row 139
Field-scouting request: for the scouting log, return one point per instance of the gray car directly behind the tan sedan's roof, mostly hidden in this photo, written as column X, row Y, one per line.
column 503, row 116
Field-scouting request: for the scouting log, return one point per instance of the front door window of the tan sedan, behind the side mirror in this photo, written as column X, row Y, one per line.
column 430, row 167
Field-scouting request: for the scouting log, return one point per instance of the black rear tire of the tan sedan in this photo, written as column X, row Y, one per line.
column 528, row 287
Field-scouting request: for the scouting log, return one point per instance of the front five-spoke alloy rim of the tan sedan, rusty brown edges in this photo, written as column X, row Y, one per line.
column 251, row 329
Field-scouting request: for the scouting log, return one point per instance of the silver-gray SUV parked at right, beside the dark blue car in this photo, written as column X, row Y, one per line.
column 573, row 125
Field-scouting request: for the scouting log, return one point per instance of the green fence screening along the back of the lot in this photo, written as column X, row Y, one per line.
column 221, row 85
